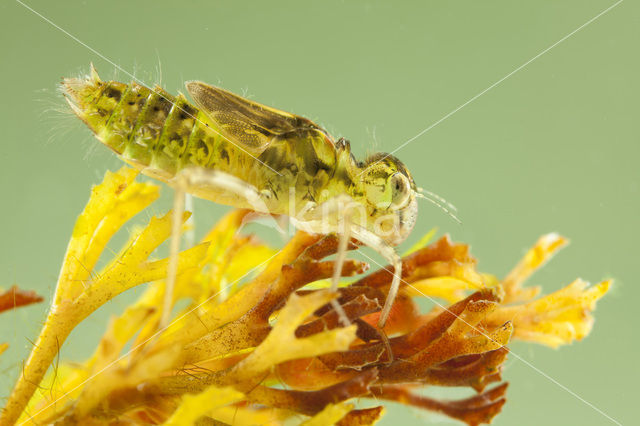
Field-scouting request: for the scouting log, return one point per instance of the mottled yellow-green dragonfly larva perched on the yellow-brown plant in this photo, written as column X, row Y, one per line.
column 240, row 153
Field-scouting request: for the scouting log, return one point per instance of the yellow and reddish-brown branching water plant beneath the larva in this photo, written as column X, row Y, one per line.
column 257, row 344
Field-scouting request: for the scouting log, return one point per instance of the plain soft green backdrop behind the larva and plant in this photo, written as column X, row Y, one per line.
column 552, row 148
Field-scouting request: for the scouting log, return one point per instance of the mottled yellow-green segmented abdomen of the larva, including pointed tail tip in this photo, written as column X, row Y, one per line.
column 152, row 130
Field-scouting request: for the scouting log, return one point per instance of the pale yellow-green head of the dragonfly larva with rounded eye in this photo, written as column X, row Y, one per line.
column 390, row 191
